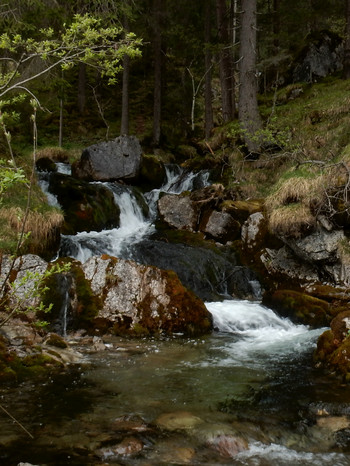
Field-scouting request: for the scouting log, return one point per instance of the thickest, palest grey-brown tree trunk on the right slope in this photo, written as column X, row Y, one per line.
column 248, row 111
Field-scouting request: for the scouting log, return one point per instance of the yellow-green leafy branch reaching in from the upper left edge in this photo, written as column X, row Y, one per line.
column 83, row 40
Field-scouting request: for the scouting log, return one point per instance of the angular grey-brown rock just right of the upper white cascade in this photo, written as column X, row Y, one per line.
column 178, row 211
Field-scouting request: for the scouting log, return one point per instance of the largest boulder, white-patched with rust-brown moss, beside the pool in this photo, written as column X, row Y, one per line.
column 137, row 299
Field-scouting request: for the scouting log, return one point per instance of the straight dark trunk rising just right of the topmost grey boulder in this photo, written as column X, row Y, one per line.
column 157, row 98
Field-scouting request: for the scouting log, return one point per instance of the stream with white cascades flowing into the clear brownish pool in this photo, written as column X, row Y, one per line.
column 247, row 394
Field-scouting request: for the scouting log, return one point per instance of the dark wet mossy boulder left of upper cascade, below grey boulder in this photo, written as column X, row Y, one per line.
column 86, row 206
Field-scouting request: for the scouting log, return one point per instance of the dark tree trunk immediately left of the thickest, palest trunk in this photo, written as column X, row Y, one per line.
column 225, row 62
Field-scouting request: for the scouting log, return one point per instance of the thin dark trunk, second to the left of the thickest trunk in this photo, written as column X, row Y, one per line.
column 209, row 122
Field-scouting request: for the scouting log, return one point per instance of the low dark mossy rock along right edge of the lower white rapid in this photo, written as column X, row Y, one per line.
column 299, row 307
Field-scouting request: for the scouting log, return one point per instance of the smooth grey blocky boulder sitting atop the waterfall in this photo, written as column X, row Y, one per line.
column 119, row 159
